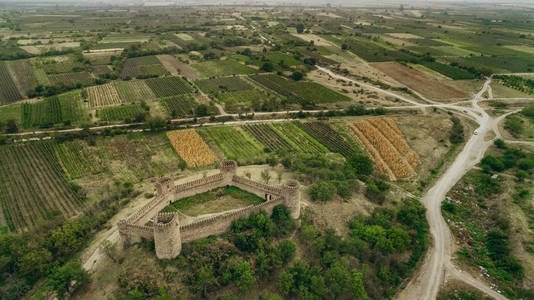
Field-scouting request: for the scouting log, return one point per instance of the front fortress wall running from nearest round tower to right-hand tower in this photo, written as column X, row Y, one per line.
column 222, row 223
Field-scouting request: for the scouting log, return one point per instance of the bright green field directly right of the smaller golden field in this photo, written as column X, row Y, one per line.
column 235, row 143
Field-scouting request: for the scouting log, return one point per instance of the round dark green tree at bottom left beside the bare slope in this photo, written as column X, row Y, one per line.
column 68, row 278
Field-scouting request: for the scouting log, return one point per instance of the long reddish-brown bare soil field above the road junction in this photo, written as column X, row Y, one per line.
column 417, row 81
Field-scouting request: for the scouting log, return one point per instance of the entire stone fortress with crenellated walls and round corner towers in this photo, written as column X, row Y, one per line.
column 166, row 231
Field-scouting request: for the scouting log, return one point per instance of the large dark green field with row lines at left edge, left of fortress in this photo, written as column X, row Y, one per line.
column 33, row 185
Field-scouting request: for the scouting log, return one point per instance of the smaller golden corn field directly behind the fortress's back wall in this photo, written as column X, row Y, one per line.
column 191, row 148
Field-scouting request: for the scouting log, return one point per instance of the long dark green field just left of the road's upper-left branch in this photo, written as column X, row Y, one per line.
column 302, row 92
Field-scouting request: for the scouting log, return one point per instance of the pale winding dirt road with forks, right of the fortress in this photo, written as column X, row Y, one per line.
column 438, row 265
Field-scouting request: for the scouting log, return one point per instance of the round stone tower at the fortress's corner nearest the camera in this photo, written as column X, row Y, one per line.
column 167, row 236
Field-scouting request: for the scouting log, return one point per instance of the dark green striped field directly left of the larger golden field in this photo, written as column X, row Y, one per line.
column 327, row 136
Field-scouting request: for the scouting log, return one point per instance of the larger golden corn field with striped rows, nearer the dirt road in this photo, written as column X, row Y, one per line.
column 386, row 144
